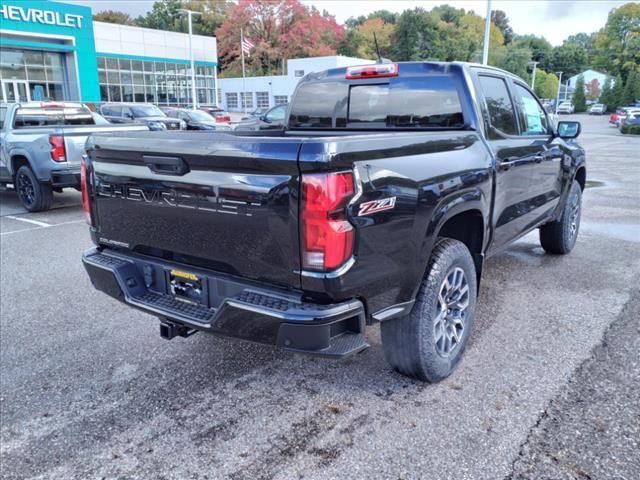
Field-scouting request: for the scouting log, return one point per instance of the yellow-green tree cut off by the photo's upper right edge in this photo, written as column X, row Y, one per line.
column 618, row 44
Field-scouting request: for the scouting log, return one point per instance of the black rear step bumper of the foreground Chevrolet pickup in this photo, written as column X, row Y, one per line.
column 230, row 307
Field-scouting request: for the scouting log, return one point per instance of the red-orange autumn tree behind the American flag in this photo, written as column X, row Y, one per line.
column 280, row 30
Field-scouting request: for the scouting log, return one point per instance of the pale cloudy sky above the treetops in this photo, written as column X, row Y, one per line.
column 553, row 19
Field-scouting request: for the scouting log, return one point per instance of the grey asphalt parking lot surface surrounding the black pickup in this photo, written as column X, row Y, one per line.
column 548, row 387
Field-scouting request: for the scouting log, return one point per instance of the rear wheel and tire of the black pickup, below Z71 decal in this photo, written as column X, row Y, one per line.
column 411, row 343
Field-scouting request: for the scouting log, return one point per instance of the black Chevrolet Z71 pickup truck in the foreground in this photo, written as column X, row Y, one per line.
column 378, row 203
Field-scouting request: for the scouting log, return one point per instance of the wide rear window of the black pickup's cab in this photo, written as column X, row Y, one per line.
column 421, row 102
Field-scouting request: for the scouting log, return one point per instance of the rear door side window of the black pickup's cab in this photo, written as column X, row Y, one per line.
column 501, row 112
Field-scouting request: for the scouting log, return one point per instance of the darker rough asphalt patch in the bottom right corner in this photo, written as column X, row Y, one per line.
column 592, row 429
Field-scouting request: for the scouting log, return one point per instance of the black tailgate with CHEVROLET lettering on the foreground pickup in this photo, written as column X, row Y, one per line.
column 208, row 199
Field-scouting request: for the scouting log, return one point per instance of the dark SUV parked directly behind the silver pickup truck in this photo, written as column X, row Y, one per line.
column 144, row 113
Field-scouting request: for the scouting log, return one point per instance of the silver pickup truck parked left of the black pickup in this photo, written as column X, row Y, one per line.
column 41, row 145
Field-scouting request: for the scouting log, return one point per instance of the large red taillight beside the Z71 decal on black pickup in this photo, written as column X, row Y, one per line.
column 327, row 235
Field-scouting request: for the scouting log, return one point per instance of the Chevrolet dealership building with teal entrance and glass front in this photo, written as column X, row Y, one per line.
column 52, row 50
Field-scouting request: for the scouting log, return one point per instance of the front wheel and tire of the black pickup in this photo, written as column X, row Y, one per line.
column 559, row 237
